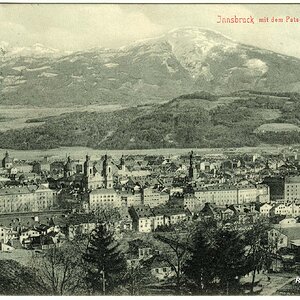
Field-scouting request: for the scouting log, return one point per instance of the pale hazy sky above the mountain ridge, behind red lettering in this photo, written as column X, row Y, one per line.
column 82, row 26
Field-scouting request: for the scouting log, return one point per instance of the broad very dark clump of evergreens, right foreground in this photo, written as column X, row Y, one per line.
column 217, row 260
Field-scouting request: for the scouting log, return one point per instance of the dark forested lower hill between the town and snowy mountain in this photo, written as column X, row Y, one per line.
column 197, row 120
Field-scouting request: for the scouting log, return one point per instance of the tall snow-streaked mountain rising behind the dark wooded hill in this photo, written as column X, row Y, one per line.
column 154, row 70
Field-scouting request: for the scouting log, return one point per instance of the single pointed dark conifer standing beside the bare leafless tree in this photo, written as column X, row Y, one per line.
column 106, row 265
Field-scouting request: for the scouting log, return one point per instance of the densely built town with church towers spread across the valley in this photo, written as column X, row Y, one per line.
column 44, row 204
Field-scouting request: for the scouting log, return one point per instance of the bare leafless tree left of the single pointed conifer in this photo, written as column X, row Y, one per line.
column 61, row 270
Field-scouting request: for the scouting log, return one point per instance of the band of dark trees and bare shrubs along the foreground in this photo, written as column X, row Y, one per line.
column 207, row 259
